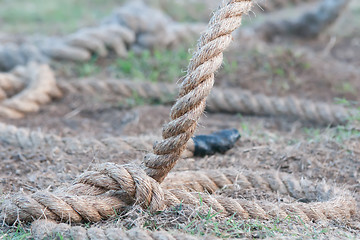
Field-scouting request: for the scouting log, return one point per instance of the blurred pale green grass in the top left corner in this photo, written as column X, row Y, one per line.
column 52, row 16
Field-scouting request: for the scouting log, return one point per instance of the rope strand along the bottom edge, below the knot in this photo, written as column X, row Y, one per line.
column 47, row 229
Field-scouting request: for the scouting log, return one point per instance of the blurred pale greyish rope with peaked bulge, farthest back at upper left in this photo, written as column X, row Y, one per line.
column 125, row 29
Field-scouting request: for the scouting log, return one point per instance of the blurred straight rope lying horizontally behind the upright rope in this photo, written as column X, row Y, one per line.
column 220, row 100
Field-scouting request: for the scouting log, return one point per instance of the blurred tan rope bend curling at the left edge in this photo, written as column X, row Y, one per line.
column 41, row 87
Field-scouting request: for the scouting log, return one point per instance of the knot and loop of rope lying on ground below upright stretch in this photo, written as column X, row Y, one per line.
column 97, row 194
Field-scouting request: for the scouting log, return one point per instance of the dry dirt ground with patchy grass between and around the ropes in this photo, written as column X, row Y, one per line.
column 303, row 149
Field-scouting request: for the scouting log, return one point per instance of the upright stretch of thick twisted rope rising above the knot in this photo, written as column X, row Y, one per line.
column 195, row 88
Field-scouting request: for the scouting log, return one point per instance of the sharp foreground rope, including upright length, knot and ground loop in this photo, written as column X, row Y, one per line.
column 107, row 188
